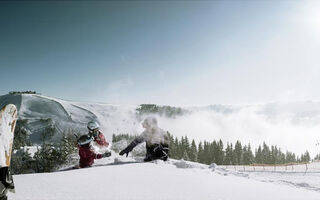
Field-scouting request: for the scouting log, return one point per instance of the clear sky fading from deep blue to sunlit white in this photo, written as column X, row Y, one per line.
column 178, row 53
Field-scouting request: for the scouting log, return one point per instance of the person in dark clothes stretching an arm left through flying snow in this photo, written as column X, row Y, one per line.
column 157, row 141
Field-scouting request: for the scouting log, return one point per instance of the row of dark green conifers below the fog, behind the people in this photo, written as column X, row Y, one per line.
column 230, row 154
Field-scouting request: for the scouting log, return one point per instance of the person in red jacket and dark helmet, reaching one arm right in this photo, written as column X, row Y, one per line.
column 86, row 152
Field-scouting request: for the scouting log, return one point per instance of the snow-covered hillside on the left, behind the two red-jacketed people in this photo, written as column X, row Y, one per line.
column 42, row 112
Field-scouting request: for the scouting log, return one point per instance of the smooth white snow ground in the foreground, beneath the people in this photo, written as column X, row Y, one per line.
column 121, row 178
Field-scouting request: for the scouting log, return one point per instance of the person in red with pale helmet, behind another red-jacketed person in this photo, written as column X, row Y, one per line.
column 98, row 137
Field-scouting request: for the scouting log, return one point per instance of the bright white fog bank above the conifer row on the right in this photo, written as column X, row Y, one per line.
column 292, row 127
